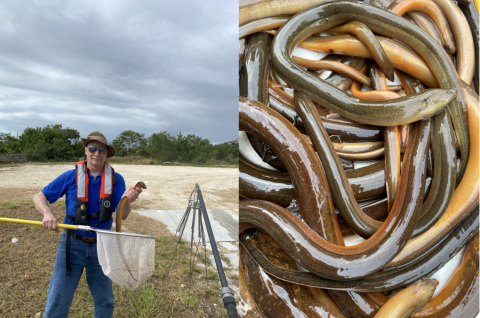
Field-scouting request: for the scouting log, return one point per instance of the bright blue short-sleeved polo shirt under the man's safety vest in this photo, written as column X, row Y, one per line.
column 65, row 185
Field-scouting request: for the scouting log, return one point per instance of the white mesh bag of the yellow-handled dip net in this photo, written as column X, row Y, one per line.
column 127, row 260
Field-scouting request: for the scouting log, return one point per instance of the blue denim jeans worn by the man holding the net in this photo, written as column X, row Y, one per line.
column 62, row 287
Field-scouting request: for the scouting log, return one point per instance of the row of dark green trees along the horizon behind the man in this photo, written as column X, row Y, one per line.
column 55, row 143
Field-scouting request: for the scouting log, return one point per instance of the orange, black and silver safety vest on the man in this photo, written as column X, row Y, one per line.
column 106, row 195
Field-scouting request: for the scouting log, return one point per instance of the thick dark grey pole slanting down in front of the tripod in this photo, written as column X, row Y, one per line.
column 227, row 293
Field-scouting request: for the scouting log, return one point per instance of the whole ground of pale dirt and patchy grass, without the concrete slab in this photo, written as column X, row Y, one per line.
column 172, row 291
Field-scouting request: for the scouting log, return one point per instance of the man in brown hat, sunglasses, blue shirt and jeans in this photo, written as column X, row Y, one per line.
column 92, row 203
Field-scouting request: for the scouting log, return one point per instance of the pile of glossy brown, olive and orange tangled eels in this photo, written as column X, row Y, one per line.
column 396, row 93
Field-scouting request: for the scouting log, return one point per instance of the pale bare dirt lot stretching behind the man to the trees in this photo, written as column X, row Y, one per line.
column 168, row 187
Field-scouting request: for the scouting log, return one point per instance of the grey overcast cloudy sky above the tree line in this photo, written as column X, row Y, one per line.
column 116, row 65
